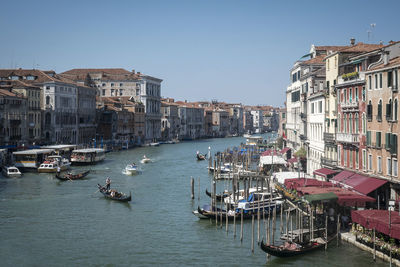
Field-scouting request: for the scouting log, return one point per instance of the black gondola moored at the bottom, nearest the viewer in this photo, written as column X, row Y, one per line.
column 280, row 251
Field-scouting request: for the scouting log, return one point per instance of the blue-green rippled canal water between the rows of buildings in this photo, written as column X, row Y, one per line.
column 47, row 222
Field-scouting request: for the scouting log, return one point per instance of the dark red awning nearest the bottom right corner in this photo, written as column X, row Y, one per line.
column 378, row 220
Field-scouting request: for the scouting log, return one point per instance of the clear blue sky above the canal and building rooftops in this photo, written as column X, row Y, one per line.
column 233, row 51
